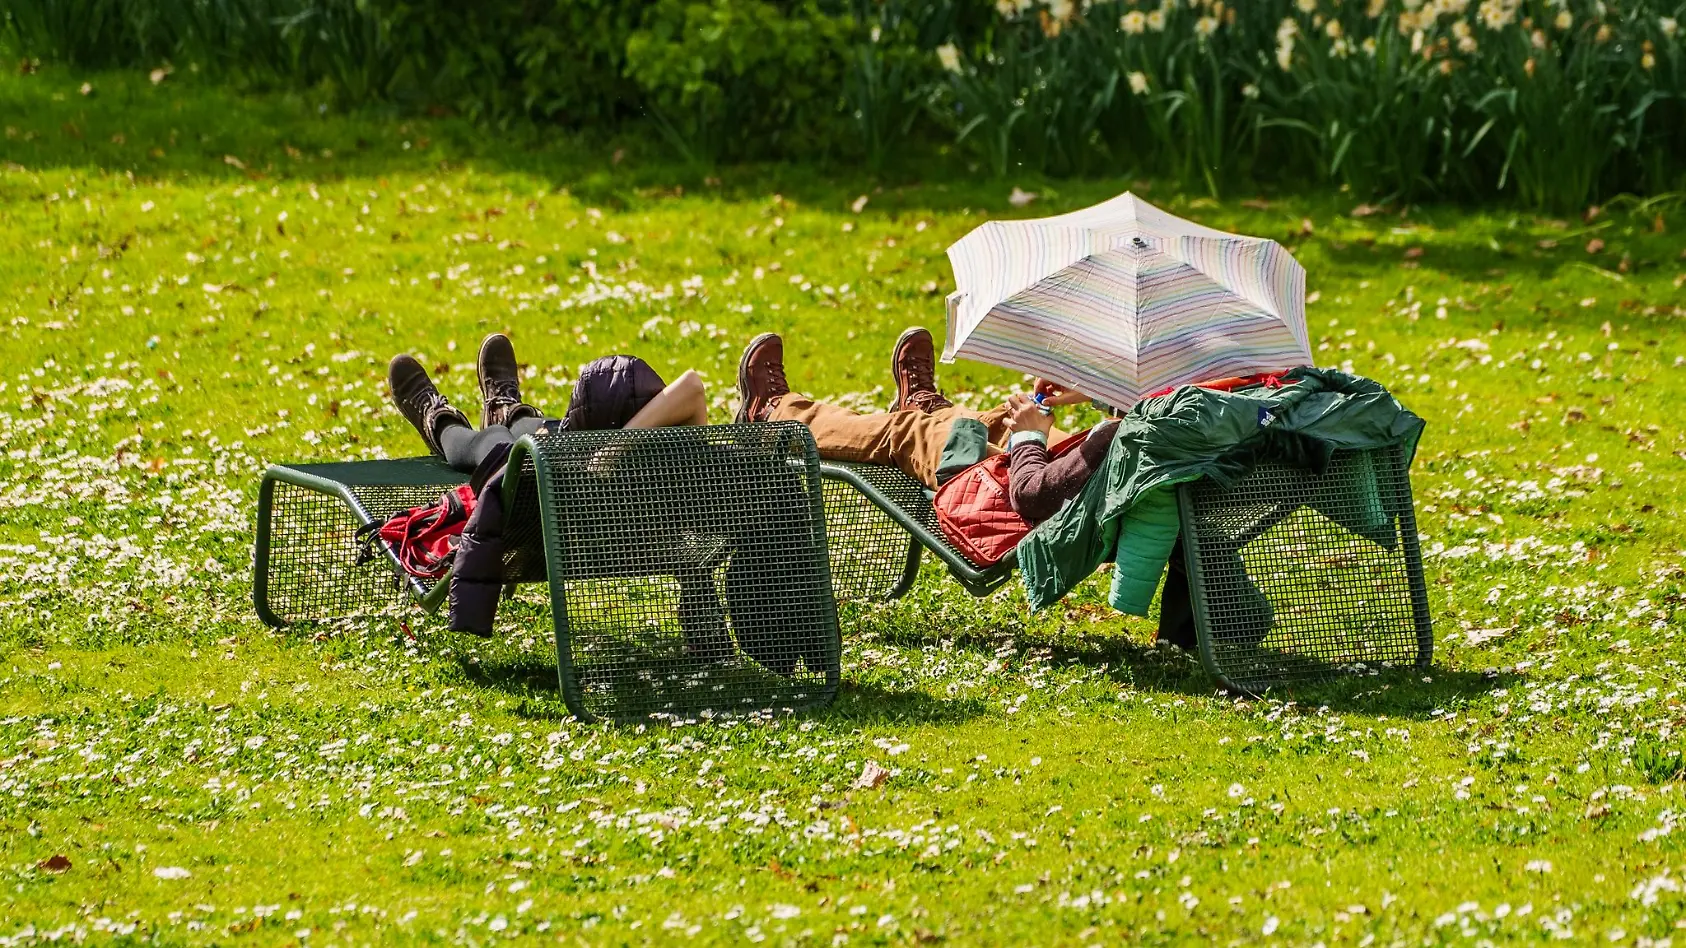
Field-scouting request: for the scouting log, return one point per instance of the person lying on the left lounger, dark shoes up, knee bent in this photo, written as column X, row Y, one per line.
column 613, row 392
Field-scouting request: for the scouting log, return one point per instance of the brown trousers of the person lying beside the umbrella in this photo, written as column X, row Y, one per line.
column 911, row 441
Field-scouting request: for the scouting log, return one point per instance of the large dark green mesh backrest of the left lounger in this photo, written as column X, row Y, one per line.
column 689, row 568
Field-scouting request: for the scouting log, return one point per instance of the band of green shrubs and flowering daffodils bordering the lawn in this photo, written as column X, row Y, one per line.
column 1549, row 104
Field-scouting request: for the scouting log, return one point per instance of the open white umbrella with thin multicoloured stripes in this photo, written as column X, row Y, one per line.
column 1124, row 299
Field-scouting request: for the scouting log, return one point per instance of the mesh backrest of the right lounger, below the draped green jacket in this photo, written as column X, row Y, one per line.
column 1299, row 576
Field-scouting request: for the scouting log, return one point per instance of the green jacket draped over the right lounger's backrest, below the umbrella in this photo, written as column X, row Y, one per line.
column 1129, row 510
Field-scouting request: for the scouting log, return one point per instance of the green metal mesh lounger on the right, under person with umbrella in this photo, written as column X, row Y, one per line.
column 1292, row 576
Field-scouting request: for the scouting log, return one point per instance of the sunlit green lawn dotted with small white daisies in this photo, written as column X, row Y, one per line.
column 200, row 284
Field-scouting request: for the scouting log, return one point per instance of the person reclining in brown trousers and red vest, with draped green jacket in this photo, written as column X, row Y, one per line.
column 1112, row 495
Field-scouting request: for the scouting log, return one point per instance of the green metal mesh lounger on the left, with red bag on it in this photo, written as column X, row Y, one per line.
column 687, row 568
